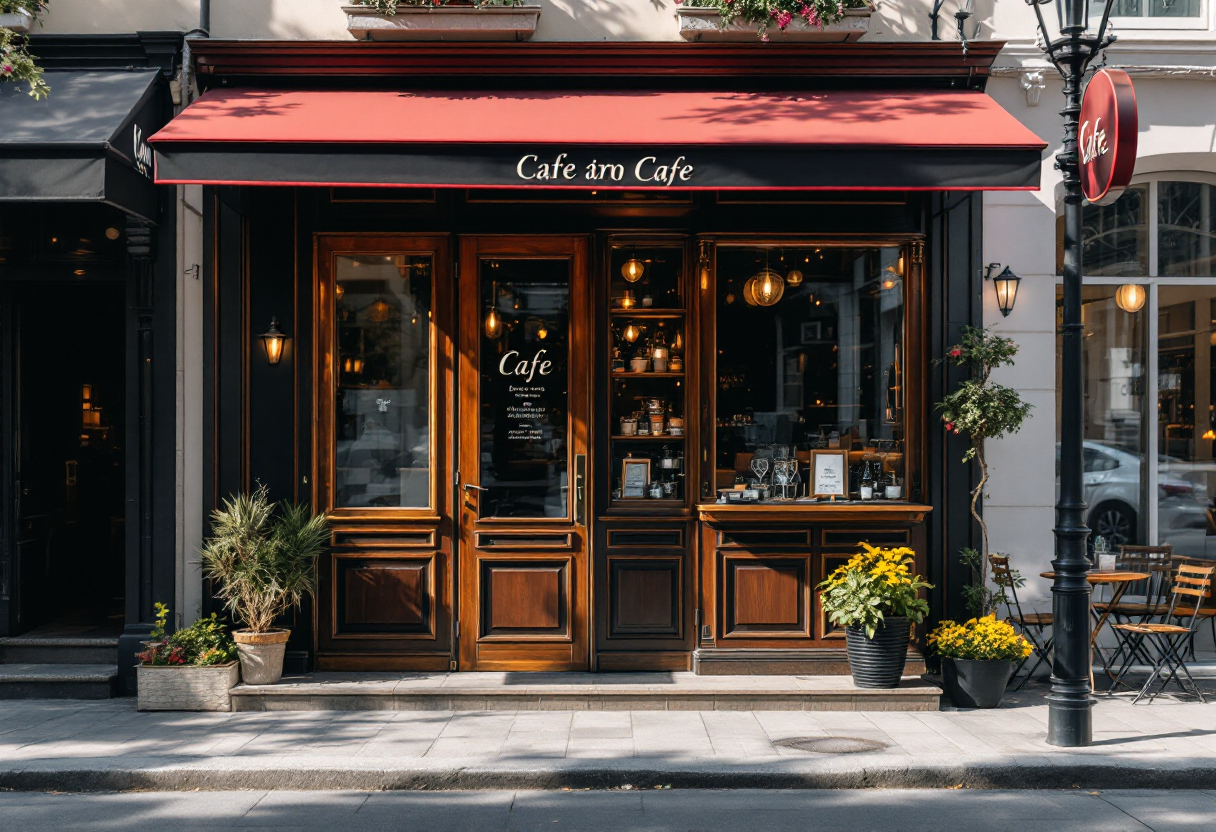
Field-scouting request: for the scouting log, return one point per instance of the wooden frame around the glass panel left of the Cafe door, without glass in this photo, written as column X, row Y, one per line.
column 419, row 536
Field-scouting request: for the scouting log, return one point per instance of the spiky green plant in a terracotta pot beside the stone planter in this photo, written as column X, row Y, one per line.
column 263, row 558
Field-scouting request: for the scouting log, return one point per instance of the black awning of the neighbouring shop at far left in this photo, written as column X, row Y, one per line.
column 85, row 143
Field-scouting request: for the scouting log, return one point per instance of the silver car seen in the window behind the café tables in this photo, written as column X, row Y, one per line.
column 1112, row 482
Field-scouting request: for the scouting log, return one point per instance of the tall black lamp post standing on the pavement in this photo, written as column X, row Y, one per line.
column 1071, row 705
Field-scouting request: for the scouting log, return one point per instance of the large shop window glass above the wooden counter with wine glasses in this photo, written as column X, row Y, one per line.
column 810, row 357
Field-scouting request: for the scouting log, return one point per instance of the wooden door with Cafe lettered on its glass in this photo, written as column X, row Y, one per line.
column 525, row 369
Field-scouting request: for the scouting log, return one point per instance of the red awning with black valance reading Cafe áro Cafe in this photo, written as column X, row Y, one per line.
column 840, row 140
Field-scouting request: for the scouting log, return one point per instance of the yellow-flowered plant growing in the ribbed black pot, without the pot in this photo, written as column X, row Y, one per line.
column 874, row 584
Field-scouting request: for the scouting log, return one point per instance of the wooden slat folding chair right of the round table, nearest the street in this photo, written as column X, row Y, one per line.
column 1191, row 584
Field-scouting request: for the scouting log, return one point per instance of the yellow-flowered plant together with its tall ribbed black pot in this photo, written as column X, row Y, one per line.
column 877, row 599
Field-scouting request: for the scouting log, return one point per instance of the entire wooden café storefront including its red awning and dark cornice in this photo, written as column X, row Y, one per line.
column 599, row 356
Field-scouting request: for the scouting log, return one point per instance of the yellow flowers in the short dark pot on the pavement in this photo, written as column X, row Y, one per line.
column 978, row 659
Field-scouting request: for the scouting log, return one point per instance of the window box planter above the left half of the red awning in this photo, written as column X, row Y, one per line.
column 442, row 20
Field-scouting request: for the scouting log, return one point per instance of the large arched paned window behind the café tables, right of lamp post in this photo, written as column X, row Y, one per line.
column 1150, row 313
